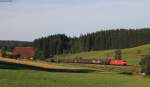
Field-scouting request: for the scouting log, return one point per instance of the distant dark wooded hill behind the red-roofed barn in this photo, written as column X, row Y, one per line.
column 10, row 44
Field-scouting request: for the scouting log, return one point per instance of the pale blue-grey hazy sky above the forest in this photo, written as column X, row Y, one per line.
column 27, row 20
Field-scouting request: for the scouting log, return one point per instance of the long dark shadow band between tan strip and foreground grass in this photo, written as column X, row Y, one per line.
column 13, row 66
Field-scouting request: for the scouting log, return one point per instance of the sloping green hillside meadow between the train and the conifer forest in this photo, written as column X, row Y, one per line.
column 130, row 54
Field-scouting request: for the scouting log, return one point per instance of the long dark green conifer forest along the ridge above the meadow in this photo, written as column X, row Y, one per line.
column 100, row 40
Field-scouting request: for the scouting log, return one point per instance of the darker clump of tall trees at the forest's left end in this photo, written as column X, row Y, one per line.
column 52, row 45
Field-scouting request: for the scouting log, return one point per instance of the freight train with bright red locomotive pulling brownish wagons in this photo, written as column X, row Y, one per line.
column 104, row 61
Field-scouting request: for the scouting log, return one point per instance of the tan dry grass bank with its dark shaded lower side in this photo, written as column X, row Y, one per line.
column 52, row 67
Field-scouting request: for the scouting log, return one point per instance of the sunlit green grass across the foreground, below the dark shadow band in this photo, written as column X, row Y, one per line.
column 31, row 78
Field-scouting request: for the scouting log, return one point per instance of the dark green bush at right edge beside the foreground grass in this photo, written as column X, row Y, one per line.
column 145, row 64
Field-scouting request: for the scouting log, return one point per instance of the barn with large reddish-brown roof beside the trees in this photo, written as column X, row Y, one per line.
column 24, row 52
